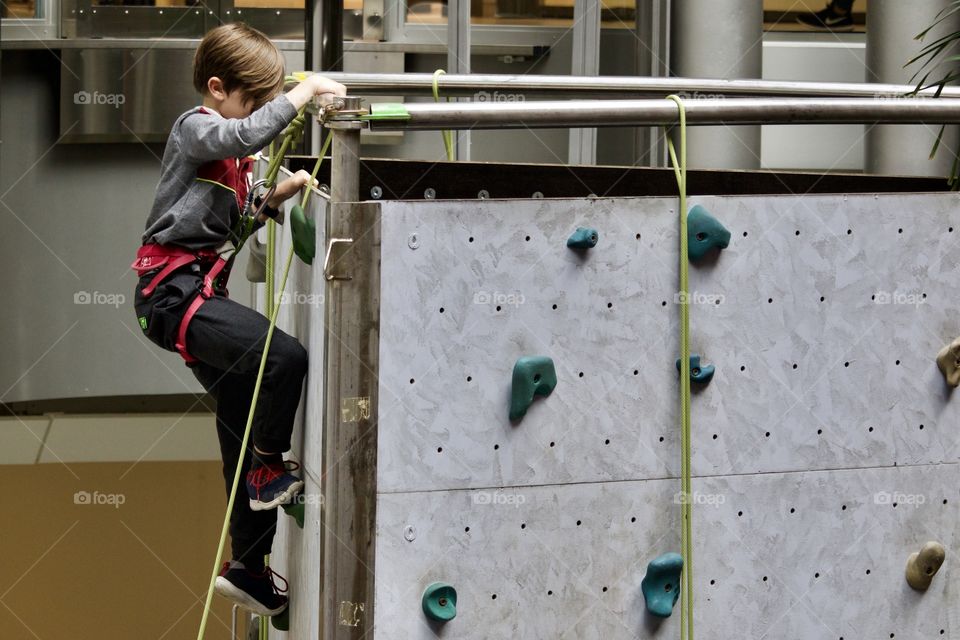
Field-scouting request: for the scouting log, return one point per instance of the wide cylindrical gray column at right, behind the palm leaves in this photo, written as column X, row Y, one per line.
column 891, row 27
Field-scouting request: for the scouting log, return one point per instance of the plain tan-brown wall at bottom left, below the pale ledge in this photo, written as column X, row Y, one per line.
column 83, row 571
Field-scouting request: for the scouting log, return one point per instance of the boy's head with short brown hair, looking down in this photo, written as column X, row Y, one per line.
column 239, row 68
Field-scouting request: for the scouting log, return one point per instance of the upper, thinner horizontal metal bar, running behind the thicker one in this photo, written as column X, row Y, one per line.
column 475, row 85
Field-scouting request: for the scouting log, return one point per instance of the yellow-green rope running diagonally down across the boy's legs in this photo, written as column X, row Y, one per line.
column 292, row 132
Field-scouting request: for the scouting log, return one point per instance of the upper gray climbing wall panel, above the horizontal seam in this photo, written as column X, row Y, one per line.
column 857, row 366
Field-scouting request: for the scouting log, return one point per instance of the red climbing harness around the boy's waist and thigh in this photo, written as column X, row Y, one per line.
column 168, row 259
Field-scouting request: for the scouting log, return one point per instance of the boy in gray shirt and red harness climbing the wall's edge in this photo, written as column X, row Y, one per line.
column 181, row 298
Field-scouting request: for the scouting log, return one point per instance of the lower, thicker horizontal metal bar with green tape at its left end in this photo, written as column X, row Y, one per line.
column 616, row 113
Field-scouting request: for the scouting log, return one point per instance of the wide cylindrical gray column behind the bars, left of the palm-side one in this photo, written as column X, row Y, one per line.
column 719, row 39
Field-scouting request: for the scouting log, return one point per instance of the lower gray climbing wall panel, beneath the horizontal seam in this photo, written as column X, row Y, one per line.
column 795, row 555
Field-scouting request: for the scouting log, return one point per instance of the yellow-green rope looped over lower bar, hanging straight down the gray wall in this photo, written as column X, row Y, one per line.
column 686, row 531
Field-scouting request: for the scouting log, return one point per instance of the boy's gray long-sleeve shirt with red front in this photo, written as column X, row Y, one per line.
column 205, row 173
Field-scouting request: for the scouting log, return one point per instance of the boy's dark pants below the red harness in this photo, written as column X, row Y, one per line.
column 227, row 339
